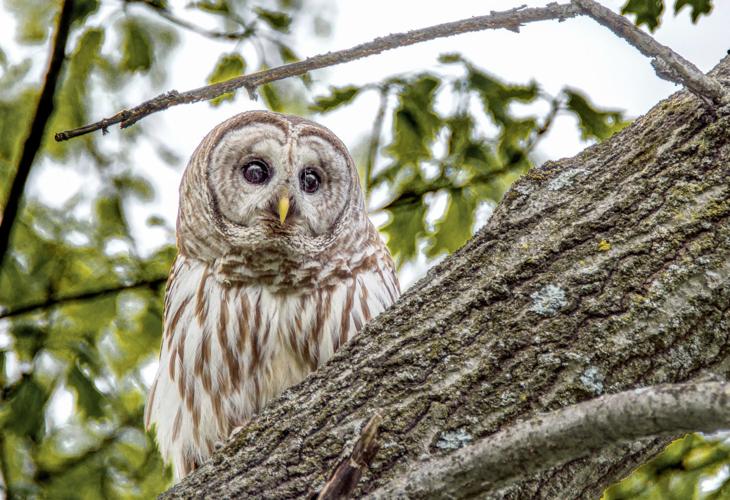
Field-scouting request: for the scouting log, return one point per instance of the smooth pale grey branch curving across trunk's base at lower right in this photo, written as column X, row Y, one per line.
column 567, row 434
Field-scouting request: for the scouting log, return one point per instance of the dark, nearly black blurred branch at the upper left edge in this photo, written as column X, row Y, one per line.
column 43, row 111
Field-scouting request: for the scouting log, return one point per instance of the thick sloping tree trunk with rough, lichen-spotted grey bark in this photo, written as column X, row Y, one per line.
column 596, row 274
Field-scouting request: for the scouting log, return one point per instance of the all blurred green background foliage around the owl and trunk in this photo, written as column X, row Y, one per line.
column 81, row 306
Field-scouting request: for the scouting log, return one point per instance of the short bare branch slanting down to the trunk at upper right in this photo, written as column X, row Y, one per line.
column 668, row 64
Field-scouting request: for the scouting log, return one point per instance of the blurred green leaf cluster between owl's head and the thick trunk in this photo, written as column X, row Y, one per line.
column 484, row 144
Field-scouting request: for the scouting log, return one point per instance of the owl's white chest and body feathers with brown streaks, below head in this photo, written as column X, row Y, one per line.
column 228, row 350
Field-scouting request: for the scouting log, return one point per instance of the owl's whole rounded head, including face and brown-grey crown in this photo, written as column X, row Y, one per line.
column 264, row 182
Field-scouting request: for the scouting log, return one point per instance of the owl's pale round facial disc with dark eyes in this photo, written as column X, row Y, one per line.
column 254, row 168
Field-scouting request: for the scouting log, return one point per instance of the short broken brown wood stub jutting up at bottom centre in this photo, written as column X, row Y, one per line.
column 346, row 475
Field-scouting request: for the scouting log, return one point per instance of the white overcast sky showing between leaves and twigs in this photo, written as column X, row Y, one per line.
column 578, row 52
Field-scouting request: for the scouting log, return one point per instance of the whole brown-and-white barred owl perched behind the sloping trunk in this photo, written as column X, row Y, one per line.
column 278, row 265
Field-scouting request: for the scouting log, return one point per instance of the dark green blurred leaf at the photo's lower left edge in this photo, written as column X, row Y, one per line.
column 26, row 409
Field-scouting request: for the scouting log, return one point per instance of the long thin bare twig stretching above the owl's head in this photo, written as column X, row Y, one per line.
column 511, row 20
